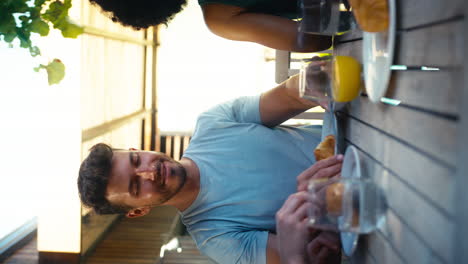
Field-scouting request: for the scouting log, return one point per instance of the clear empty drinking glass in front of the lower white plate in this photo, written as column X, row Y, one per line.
column 346, row 204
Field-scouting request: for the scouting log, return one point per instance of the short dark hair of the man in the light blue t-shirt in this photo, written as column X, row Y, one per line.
column 93, row 178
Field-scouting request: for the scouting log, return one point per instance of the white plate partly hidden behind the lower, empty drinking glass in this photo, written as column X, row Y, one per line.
column 351, row 169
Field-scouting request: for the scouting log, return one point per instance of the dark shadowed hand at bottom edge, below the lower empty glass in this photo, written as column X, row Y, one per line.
column 324, row 249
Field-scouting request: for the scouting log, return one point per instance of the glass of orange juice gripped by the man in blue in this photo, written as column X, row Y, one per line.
column 326, row 79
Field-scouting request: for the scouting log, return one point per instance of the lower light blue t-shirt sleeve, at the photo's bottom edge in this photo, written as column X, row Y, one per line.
column 237, row 247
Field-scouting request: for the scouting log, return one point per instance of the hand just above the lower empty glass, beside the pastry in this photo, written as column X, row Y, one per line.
column 326, row 168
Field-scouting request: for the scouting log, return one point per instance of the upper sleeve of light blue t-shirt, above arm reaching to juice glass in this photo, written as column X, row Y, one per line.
column 244, row 109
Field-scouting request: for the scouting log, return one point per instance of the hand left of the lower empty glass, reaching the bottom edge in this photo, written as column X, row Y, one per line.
column 292, row 231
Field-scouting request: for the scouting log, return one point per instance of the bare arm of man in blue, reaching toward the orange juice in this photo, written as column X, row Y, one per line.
column 283, row 102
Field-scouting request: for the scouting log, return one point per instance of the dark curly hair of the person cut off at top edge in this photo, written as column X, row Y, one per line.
column 141, row 13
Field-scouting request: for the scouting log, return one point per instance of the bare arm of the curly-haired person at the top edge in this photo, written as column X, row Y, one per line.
column 276, row 32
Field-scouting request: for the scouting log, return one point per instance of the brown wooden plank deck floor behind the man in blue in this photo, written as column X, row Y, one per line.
column 131, row 241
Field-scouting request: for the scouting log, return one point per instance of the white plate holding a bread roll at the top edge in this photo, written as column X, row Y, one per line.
column 377, row 57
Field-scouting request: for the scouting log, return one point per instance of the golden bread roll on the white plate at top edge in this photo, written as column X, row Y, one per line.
column 371, row 15
